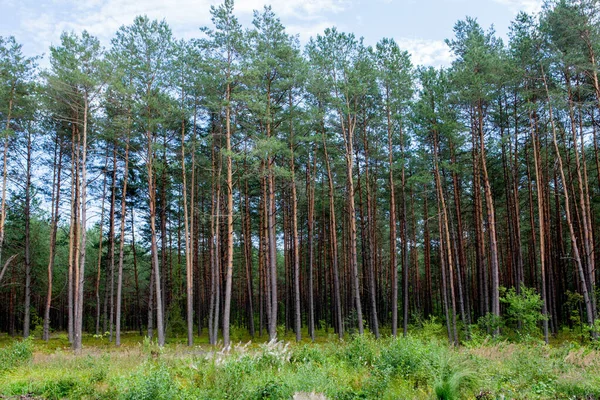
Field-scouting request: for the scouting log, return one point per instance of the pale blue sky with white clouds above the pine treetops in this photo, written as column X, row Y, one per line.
column 419, row 26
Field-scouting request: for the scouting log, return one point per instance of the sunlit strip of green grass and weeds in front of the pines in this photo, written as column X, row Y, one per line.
column 419, row 366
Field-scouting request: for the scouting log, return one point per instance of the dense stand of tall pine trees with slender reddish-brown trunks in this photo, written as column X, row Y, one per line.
column 243, row 181
